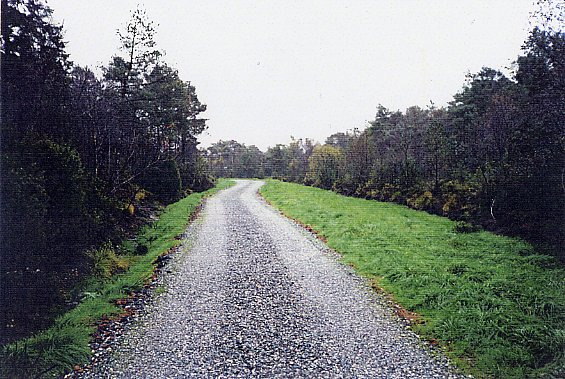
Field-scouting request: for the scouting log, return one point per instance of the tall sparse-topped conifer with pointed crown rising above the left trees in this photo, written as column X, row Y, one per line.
column 130, row 148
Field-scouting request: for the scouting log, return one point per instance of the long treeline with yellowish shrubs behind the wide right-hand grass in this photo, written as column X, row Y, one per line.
column 493, row 157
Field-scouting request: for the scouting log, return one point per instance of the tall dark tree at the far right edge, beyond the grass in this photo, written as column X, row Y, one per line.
column 536, row 145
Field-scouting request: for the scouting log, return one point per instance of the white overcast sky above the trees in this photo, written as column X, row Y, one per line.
column 269, row 70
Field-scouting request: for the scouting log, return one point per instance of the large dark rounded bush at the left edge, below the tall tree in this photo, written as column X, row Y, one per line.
column 46, row 225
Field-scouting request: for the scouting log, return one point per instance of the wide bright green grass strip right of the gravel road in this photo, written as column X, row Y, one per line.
column 493, row 303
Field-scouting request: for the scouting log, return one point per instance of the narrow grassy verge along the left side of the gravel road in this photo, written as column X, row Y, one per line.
column 66, row 343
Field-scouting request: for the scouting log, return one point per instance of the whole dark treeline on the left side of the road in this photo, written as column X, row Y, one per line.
column 78, row 151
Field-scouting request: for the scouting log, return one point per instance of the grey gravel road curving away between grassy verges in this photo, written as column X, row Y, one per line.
column 251, row 294
